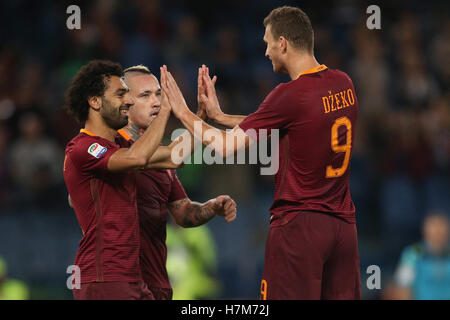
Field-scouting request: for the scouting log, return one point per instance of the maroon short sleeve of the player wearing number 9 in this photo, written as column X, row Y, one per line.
column 275, row 112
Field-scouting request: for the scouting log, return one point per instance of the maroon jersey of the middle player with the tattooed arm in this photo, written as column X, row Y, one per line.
column 155, row 189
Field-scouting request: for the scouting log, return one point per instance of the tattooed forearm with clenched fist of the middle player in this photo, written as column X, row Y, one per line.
column 187, row 213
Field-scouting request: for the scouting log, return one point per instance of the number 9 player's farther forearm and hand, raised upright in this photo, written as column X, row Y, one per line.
column 208, row 99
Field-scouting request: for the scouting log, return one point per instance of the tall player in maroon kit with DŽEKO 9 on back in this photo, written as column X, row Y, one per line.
column 312, row 247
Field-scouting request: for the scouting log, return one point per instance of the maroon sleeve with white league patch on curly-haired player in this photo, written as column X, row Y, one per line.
column 90, row 154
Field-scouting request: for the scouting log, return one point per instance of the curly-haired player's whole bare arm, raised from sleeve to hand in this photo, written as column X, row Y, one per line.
column 138, row 155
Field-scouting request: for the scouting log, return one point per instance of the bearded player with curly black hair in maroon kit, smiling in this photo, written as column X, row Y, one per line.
column 100, row 178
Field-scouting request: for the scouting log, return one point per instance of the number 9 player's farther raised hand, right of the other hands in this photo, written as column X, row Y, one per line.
column 209, row 97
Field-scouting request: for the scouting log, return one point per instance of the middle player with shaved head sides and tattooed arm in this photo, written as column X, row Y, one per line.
column 159, row 190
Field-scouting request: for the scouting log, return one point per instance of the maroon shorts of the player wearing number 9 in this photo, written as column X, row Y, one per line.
column 312, row 256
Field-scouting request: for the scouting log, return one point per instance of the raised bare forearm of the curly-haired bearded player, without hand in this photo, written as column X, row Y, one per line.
column 146, row 145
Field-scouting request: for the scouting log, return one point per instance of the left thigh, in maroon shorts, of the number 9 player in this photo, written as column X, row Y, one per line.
column 294, row 257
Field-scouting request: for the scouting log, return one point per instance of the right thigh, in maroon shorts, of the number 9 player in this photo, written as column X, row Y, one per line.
column 341, row 274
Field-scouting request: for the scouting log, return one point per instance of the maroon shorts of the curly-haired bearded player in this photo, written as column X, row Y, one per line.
column 113, row 291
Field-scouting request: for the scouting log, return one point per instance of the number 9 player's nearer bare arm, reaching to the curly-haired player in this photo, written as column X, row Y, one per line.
column 209, row 136
